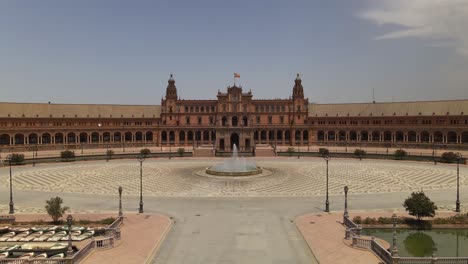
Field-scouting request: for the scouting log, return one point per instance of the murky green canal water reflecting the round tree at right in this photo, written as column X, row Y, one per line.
column 424, row 243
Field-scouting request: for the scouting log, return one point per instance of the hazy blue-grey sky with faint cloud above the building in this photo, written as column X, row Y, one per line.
column 103, row 51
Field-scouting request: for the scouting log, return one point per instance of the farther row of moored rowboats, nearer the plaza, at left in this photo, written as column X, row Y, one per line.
column 51, row 234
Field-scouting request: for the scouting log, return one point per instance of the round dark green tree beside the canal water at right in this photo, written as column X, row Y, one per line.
column 419, row 205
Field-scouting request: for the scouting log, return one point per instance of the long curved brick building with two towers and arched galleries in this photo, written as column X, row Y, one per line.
column 235, row 117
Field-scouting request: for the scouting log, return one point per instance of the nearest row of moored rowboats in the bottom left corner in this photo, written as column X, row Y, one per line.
column 34, row 251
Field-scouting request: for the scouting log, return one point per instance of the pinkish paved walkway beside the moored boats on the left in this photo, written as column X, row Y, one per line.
column 141, row 235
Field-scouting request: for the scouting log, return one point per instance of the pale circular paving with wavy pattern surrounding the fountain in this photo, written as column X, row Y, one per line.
column 283, row 177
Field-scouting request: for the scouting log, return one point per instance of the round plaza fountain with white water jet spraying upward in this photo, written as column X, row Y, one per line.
column 234, row 166
